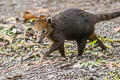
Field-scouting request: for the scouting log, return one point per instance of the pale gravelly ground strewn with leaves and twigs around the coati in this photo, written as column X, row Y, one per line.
column 95, row 64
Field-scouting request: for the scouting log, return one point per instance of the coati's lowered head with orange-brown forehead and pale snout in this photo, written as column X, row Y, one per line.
column 43, row 25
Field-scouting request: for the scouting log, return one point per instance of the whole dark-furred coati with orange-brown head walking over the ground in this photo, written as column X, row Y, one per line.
column 71, row 24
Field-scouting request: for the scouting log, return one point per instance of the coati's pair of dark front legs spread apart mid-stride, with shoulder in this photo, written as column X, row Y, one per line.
column 58, row 44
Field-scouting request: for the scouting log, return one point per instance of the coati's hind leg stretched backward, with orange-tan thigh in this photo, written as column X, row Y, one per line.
column 94, row 37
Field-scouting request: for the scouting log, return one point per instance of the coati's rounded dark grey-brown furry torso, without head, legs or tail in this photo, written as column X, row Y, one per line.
column 74, row 23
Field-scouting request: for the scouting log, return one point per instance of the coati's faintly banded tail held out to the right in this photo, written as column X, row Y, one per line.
column 107, row 16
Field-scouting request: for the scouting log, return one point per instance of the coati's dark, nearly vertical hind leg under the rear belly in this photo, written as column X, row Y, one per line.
column 81, row 45
